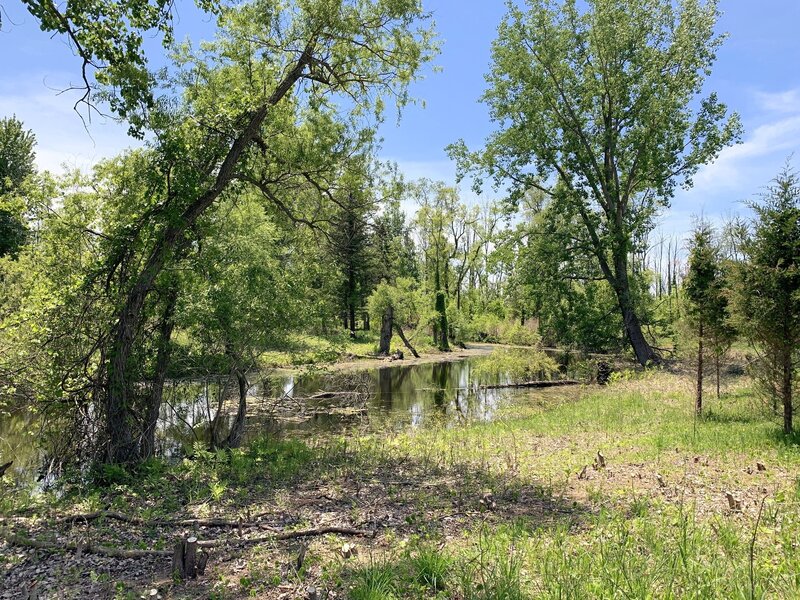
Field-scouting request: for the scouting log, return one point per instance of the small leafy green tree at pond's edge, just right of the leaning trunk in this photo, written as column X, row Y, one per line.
column 236, row 300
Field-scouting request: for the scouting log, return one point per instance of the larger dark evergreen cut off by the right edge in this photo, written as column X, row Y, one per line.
column 766, row 288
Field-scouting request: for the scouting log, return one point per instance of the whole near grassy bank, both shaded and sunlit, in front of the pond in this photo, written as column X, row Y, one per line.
column 517, row 508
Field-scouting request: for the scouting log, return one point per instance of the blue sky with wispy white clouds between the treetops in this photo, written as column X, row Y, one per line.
column 757, row 74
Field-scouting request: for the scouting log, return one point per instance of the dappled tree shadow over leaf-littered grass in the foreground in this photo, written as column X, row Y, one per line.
column 285, row 485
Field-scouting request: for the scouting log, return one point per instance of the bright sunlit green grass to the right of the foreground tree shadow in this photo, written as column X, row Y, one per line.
column 630, row 543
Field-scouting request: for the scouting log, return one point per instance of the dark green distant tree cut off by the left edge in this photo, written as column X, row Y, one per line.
column 16, row 163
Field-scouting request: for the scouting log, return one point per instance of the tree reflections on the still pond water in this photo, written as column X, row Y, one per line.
column 397, row 397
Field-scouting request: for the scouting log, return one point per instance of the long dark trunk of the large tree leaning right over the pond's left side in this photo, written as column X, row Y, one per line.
column 122, row 447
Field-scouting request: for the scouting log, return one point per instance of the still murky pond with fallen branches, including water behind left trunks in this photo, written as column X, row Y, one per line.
column 389, row 398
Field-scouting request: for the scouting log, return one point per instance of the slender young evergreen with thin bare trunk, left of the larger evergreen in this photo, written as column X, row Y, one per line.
column 705, row 291
